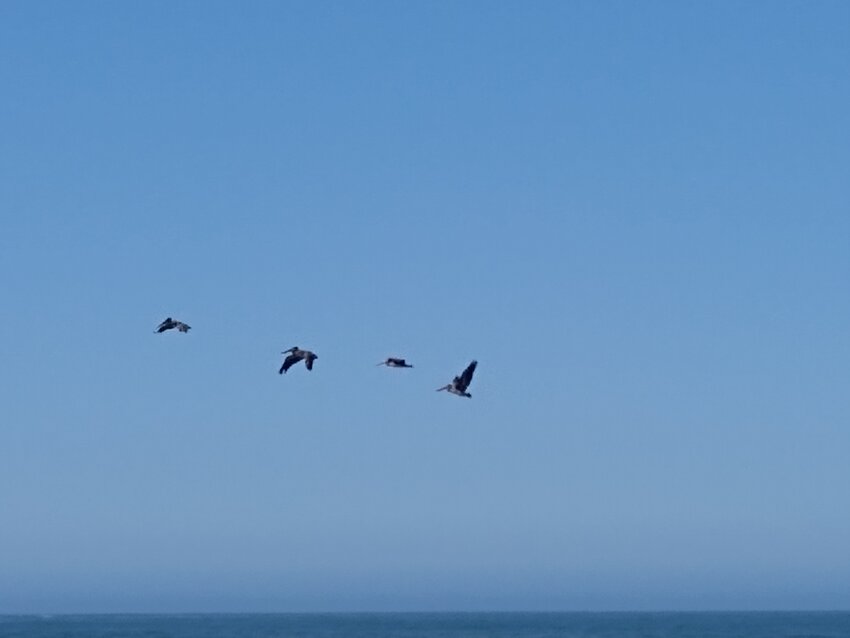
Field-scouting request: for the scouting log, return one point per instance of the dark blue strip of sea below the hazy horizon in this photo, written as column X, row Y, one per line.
column 472, row 625
